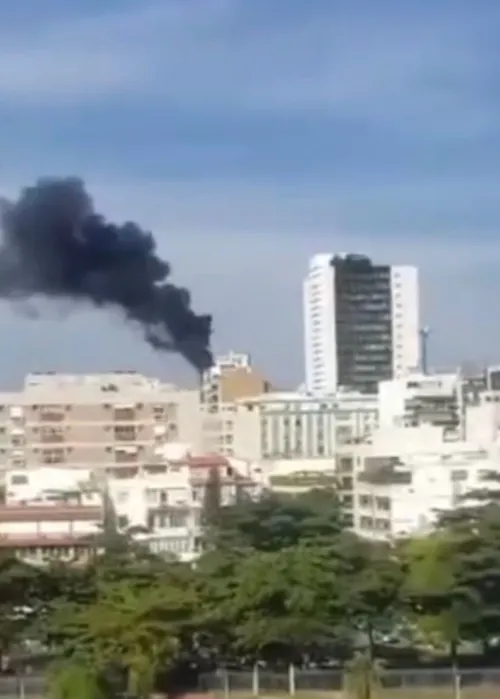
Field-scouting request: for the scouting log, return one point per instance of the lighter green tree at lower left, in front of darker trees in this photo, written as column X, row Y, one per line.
column 138, row 628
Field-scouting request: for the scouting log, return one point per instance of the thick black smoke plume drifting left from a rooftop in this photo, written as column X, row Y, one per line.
column 54, row 244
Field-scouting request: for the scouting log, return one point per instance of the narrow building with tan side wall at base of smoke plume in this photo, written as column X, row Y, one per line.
column 230, row 379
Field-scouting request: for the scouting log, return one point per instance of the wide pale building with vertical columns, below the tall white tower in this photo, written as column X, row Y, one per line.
column 294, row 426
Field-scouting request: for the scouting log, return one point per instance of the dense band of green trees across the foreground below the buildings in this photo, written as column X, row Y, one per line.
column 280, row 580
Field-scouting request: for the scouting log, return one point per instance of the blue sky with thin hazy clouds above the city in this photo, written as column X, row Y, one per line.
column 250, row 134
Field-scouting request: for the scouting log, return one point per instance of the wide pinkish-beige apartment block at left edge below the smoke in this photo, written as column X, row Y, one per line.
column 106, row 421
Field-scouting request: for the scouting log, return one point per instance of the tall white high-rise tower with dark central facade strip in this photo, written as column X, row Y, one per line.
column 361, row 323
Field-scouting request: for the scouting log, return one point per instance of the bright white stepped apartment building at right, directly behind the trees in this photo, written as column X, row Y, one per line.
column 407, row 476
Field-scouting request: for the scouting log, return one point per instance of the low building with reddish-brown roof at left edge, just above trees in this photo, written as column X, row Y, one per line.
column 38, row 533
